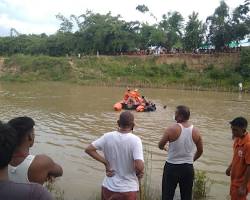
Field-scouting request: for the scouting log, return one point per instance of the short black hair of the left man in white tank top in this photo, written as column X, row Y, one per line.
column 23, row 127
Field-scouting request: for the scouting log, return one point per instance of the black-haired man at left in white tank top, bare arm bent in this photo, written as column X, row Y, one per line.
column 24, row 167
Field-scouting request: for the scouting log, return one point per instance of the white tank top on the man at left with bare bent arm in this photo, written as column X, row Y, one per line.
column 19, row 174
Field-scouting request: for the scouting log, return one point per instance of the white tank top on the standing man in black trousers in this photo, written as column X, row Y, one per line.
column 182, row 150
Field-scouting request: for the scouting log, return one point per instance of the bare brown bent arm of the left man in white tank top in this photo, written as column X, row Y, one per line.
column 43, row 168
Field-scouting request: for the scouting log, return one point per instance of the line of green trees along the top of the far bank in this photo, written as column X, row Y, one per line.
column 92, row 32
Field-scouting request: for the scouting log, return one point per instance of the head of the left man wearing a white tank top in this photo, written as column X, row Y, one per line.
column 24, row 129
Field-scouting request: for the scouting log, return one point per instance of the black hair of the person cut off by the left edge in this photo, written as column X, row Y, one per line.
column 8, row 142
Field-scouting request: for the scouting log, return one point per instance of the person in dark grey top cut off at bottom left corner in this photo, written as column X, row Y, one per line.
column 8, row 189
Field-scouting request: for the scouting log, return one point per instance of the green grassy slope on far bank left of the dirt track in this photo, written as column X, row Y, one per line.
column 30, row 68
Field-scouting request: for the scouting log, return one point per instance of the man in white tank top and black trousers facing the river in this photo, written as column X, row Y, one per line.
column 182, row 138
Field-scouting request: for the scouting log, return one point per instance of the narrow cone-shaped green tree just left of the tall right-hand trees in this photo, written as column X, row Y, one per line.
column 194, row 32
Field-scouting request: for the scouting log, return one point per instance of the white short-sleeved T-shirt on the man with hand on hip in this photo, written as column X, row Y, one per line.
column 120, row 150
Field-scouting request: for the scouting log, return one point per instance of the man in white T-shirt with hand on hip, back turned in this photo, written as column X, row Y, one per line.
column 123, row 160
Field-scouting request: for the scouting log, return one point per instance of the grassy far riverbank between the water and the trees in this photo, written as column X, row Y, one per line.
column 220, row 72
